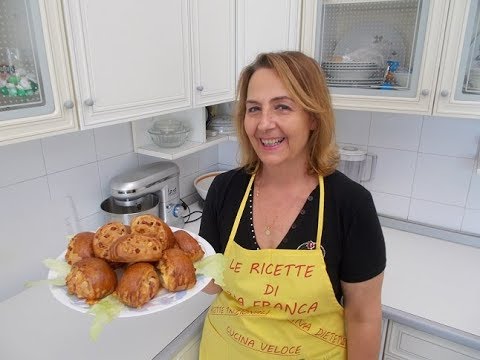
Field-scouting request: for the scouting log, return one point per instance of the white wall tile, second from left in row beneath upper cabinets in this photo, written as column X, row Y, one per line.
column 69, row 151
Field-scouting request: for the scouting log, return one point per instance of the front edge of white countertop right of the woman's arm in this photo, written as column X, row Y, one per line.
column 431, row 327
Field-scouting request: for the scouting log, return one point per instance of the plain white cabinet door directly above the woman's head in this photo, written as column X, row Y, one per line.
column 266, row 25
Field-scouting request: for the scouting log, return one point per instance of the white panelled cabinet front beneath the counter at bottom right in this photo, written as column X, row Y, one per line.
column 404, row 342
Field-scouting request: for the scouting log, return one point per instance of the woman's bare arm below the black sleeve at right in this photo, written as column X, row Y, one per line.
column 363, row 318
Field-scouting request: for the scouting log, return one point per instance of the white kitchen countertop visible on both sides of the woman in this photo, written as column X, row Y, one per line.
column 429, row 283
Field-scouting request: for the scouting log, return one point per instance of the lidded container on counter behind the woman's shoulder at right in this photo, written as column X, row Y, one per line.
column 354, row 161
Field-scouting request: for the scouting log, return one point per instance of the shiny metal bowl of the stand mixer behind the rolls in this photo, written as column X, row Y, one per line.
column 124, row 212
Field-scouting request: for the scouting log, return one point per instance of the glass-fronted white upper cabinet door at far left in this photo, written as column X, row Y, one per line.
column 36, row 91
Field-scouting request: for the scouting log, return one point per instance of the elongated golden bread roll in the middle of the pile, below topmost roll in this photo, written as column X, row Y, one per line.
column 136, row 248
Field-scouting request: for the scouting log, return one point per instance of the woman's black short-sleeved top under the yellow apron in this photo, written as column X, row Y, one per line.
column 352, row 239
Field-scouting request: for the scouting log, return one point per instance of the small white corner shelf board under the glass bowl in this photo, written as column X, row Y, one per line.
column 188, row 148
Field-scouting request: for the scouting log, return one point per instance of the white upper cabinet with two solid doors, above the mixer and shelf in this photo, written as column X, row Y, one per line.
column 140, row 63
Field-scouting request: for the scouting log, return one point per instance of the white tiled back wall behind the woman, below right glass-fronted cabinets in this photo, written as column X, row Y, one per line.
column 426, row 165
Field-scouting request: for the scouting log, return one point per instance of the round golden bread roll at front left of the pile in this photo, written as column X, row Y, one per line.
column 91, row 279
